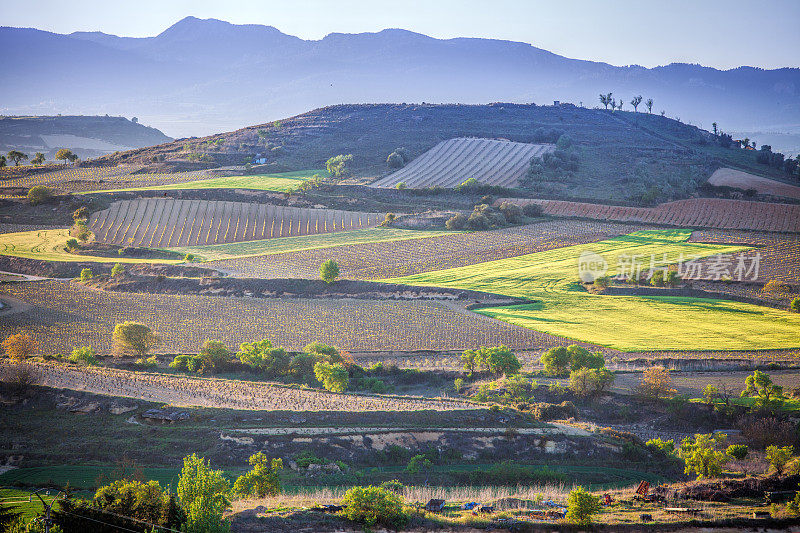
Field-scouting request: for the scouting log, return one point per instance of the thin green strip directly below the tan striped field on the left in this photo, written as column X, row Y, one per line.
column 305, row 242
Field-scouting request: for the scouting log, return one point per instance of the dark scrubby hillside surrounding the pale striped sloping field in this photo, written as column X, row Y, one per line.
column 622, row 156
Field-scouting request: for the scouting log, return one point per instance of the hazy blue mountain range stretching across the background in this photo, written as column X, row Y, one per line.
column 204, row 76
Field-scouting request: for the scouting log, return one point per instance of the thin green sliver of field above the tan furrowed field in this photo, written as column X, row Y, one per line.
column 279, row 182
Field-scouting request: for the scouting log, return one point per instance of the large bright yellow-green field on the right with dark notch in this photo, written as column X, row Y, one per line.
column 629, row 323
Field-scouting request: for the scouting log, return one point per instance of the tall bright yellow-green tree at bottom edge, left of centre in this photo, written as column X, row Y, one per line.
column 203, row 494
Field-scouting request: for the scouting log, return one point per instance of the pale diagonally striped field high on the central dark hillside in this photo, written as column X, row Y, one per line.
column 451, row 162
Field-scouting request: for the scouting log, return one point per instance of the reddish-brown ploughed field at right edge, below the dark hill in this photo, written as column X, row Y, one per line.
column 695, row 212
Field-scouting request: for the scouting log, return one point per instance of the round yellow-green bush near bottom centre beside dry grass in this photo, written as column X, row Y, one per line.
column 374, row 505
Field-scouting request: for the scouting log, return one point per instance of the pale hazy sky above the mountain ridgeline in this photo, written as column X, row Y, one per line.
column 722, row 34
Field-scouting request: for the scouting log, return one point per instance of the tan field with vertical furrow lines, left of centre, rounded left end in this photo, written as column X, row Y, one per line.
column 165, row 223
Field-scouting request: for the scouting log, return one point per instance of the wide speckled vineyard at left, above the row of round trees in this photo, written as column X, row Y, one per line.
column 63, row 315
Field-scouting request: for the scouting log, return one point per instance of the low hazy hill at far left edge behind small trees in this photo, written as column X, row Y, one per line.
column 85, row 135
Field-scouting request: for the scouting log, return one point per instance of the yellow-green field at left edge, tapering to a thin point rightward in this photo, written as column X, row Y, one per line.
column 50, row 245
